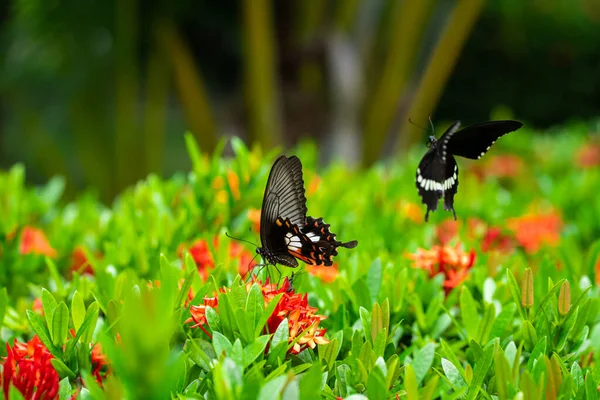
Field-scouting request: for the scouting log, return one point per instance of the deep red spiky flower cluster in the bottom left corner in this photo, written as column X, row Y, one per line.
column 28, row 368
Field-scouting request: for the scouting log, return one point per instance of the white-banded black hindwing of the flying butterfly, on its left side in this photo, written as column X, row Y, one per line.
column 430, row 180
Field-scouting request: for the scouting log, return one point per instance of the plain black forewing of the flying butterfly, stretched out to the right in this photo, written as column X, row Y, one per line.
column 475, row 140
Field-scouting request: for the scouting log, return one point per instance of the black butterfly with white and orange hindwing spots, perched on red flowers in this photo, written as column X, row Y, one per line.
column 286, row 233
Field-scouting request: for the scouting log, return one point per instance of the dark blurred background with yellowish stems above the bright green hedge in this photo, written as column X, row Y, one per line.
column 101, row 92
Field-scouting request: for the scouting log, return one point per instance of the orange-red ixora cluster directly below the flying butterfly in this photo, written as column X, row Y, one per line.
column 452, row 262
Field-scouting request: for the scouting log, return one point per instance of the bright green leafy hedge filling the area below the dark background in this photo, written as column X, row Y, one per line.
column 514, row 327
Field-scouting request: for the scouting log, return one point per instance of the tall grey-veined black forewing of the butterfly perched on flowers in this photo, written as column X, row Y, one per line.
column 284, row 197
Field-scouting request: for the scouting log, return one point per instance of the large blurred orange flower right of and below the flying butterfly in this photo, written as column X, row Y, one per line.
column 533, row 231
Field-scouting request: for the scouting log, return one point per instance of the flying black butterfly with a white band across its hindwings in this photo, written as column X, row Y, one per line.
column 437, row 175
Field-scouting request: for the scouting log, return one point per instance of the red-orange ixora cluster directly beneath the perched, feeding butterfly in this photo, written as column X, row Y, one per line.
column 302, row 320
